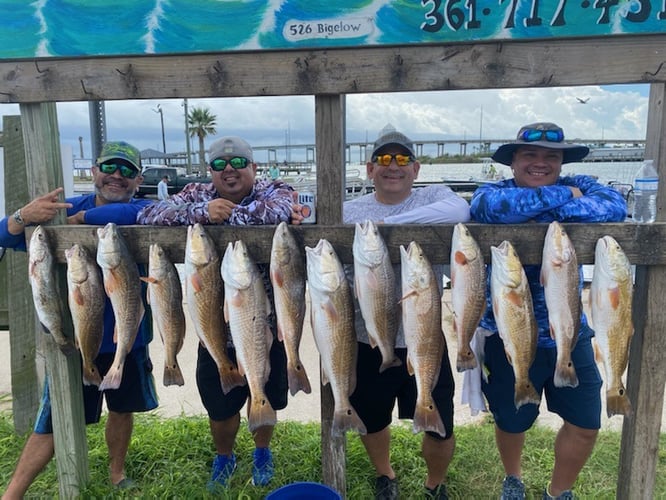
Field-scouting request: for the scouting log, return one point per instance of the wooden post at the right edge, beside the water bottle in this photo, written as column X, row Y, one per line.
column 647, row 371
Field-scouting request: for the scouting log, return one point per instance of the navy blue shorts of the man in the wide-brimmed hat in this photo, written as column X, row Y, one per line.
column 580, row 406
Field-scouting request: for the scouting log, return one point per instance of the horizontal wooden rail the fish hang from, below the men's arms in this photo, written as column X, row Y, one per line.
column 643, row 243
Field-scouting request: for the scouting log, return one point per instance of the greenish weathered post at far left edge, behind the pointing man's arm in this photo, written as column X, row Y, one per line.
column 22, row 344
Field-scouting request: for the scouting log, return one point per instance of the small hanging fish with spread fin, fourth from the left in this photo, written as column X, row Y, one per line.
column 165, row 296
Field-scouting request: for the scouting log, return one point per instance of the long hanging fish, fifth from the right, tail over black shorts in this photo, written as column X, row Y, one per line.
column 421, row 320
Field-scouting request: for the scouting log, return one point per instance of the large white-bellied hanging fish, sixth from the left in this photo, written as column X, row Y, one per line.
column 246, row 308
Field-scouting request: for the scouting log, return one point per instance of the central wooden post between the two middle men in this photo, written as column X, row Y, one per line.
column 329, row 131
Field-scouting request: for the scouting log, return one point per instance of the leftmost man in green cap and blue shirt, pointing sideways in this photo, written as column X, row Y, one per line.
column 116, row 177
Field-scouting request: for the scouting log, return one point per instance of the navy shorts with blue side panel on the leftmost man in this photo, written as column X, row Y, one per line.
column 136, row 392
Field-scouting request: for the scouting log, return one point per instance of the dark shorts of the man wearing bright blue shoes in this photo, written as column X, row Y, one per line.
column 222, row 406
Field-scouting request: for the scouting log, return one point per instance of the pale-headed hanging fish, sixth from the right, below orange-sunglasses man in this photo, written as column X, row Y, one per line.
column 374, row 285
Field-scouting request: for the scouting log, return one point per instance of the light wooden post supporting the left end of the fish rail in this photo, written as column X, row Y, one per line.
column 42, row 150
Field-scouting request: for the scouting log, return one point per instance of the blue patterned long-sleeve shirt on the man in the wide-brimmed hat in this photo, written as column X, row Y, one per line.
column 507, row 203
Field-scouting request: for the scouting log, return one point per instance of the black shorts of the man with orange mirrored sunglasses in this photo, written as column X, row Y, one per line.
column 376, row 393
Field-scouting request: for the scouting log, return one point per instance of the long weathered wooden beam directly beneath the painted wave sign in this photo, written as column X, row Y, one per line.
column 482, row 65
